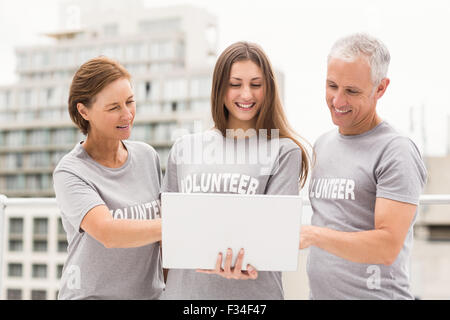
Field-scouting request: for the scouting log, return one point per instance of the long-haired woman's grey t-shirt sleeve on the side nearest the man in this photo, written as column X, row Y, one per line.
column 285, row 178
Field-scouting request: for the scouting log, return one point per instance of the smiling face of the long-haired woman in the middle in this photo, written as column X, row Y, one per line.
column 244, row 95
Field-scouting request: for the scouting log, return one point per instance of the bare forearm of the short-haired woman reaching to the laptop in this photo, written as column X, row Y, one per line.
column 125, row 233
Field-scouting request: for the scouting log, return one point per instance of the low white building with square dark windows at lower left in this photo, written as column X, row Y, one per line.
column 34, row 250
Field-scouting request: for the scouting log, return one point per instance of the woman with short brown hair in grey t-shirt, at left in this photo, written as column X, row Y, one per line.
column 108, row 192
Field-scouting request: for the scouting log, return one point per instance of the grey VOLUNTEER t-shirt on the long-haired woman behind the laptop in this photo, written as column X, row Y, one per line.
column 211, row 163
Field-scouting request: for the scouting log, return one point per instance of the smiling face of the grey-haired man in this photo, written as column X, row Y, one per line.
column 351, row 96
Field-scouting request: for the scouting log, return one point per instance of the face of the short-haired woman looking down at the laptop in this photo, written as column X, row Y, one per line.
column 111, row 115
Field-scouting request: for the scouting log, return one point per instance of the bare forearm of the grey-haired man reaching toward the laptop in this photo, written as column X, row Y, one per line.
column 370, row 247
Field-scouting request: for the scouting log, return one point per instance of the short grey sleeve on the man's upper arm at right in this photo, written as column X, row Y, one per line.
column 401, row 173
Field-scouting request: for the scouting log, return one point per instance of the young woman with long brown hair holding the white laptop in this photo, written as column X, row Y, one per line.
column 251, row 150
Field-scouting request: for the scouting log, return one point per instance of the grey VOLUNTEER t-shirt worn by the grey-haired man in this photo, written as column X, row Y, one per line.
column 350, row 173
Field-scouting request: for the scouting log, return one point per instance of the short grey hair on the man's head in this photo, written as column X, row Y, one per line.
column 351, row 47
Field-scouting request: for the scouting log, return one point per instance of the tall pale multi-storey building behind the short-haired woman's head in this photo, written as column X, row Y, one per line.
column 166, row 51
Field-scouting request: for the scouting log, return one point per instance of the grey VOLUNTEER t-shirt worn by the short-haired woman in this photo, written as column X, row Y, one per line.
column 131, row 191
